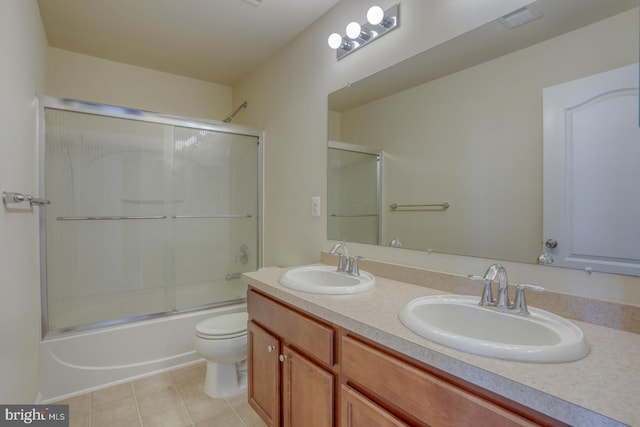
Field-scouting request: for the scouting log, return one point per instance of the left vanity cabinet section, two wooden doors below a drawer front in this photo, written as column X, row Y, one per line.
column 292, row 373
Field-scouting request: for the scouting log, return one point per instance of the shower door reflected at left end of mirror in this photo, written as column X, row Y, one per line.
column 354, row 207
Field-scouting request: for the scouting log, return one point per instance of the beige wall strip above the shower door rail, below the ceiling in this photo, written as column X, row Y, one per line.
column 87, row 78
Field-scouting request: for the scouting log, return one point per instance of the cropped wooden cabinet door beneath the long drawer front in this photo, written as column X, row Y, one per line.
column 358, row 411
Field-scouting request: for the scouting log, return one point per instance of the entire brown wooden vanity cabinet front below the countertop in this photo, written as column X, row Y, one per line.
column 305, row 372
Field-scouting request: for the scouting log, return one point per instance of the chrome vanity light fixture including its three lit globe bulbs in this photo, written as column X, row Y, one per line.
column 379, row 22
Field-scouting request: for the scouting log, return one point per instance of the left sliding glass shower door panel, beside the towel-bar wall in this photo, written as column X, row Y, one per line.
column 106, row 227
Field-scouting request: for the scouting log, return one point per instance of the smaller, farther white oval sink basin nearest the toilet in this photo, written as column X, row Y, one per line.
column 324, row 279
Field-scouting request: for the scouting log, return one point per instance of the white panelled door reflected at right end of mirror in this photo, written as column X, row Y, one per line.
column 591, row 174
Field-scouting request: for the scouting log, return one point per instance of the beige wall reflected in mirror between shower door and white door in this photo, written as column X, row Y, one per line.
column 479, row 129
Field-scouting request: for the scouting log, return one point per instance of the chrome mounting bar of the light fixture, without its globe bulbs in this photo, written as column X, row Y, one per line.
column 368, row 32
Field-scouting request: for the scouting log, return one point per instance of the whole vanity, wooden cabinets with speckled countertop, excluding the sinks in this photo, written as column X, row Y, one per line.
column 324, row 360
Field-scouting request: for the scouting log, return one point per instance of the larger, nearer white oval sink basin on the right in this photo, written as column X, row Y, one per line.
column 460, row 323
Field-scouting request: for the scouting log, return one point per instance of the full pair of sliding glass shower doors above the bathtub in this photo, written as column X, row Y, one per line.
column 146, row 217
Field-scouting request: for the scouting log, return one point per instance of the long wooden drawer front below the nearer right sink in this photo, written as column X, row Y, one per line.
column 413, row 391
